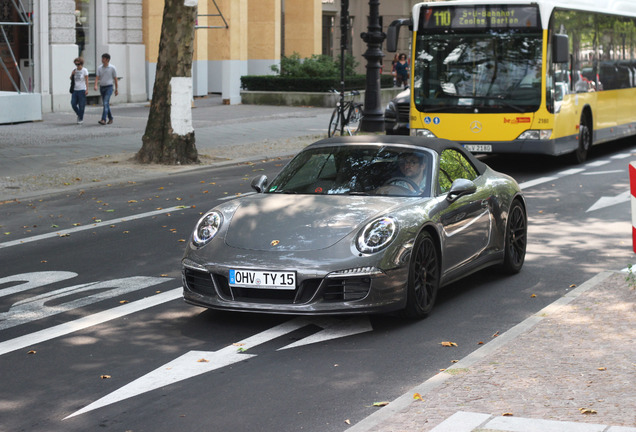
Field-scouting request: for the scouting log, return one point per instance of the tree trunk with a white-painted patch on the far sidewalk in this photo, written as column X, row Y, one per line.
column 169, row 136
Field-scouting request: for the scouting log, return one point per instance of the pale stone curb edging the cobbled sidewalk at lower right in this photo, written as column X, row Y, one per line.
column 402, row 402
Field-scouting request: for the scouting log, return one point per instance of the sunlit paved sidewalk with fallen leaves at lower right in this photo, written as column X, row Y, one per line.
column 571, row 367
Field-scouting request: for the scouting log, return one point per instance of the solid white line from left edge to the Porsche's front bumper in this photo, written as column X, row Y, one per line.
column 88, row 321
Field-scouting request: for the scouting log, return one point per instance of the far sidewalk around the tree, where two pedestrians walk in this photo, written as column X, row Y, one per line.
column 57, row 154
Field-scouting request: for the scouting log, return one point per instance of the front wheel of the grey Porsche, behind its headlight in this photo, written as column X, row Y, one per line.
column 423, row 278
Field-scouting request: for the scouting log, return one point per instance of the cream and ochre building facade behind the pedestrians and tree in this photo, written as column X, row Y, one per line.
column 232, row 38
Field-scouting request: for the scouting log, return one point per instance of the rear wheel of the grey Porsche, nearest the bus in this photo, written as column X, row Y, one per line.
column 516, row 239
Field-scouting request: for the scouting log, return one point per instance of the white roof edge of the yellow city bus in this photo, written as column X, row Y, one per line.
column 614, row 7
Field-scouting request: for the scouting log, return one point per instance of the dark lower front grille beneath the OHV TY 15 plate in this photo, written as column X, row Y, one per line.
column 333, row 289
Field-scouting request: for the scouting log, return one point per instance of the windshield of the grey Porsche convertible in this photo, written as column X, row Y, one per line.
column 357, row 170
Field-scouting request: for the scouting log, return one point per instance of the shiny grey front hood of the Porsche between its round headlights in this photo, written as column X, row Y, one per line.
column 277, row 222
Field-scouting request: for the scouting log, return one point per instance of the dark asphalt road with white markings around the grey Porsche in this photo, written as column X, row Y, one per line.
column 93, row 333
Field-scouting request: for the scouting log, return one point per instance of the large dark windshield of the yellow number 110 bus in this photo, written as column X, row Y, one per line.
column 484, row 70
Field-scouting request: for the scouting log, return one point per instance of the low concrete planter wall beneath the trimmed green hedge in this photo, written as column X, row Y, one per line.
column 314, row 99
